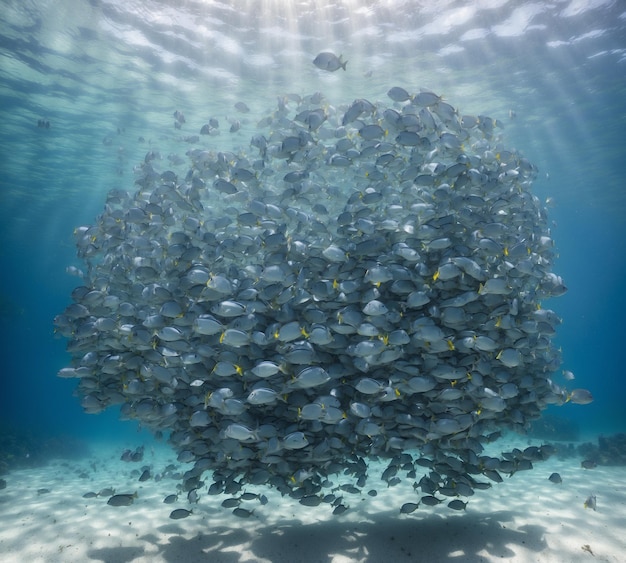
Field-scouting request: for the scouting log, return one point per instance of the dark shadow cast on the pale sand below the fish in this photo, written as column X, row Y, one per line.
column 383, row 537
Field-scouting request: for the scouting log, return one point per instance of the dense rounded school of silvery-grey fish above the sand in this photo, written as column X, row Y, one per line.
column 363, row 282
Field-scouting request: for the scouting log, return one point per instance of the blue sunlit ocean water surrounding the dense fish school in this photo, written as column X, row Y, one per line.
column 106, row 74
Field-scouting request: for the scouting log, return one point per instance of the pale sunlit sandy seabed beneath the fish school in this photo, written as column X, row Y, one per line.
column 526, row 518
